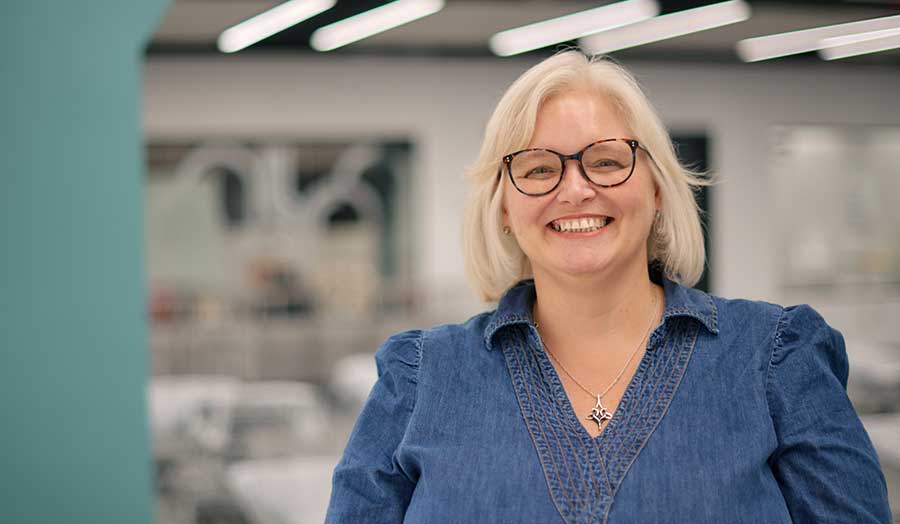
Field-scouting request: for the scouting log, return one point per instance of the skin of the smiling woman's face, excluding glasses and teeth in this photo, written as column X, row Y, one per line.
column 567, row 123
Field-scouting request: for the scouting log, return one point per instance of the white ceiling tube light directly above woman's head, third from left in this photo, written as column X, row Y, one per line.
column 572, row 26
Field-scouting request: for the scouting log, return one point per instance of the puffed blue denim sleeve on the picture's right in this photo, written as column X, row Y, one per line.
column 825, row 464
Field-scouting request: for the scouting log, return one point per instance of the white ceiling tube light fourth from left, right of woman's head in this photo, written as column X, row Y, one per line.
column 667, row 26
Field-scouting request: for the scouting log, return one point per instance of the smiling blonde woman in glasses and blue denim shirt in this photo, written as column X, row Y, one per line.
column 603, row 388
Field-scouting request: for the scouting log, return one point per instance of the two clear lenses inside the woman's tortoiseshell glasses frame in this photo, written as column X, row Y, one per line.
column 605, row 163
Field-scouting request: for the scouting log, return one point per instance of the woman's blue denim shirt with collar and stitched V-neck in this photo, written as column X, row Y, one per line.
column 737, row 412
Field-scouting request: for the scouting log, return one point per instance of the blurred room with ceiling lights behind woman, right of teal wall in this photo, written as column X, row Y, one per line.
column 302, row 187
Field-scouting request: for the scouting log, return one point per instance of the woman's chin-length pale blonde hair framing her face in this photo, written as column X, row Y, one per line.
column 494, row 261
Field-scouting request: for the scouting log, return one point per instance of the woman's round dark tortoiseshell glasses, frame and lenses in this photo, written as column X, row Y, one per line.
column 605, row 163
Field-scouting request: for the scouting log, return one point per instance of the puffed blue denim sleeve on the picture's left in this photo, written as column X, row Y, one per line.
column 369, row 483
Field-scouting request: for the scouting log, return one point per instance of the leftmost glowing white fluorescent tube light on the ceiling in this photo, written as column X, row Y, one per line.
column 270, row 22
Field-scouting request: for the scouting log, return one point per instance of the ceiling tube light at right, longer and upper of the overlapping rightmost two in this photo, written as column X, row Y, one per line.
column 795, row 42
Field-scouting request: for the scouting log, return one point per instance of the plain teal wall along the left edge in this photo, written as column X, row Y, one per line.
column 74, row 444
